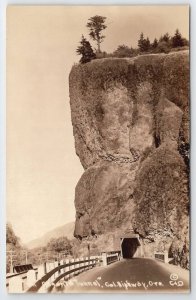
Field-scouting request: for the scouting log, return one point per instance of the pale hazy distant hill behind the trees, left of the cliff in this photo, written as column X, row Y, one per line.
column 65, row 230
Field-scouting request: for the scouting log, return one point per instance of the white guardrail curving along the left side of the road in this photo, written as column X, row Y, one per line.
column 46, row 275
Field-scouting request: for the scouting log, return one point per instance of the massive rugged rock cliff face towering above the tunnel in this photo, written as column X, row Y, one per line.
column 131, row 126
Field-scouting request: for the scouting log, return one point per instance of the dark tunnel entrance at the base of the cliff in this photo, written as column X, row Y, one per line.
column 129, row 246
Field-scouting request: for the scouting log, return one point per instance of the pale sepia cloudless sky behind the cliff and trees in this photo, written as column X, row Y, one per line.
column 42, row 167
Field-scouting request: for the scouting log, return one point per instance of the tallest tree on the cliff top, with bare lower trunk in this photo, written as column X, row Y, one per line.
column 95, row 25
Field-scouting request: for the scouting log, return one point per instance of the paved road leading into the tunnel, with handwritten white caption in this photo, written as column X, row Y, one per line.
column 130, row 275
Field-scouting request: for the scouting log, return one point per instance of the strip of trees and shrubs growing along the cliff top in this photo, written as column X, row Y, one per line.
column 164, row 44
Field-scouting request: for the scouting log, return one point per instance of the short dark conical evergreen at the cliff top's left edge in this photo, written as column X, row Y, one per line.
column 86, row 51
